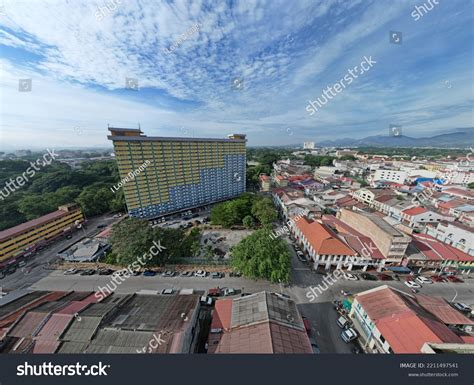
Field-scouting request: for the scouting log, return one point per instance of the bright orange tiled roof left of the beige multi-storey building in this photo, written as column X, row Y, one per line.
column 323, row 240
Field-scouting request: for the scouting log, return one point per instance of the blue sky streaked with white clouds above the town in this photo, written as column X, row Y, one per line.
column 79, row 53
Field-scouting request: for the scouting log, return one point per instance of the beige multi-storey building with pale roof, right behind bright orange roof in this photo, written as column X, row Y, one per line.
column 391, row 242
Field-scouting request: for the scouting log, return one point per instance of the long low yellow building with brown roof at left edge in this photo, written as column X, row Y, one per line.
column 22, row 239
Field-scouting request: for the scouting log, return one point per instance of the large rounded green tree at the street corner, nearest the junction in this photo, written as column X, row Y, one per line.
column 261, row 256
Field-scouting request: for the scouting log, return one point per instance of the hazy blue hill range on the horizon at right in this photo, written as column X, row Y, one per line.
column 459, row 139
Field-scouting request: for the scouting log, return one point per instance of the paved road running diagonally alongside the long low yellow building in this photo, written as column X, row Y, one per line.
column 34, row 270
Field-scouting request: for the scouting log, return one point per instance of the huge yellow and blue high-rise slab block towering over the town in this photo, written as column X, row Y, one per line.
column 161, row 175
